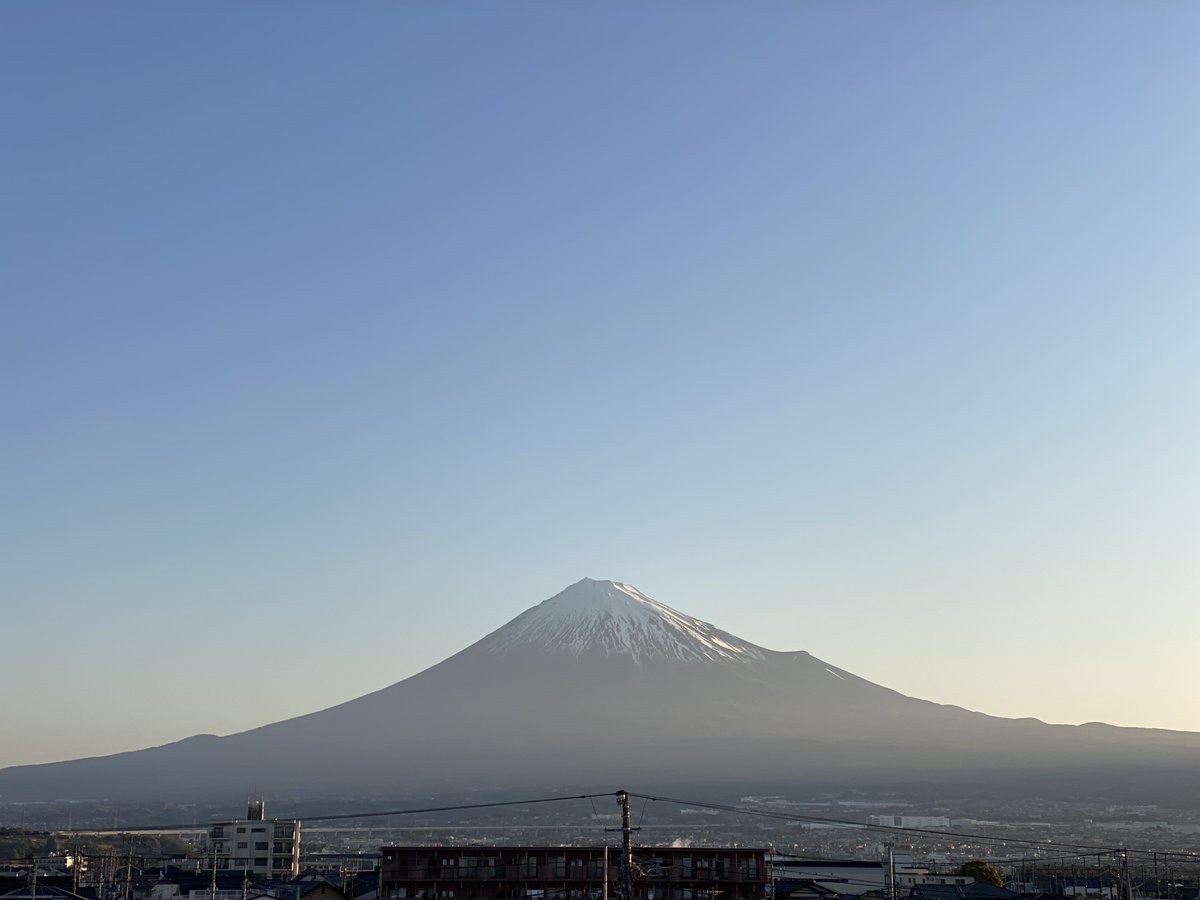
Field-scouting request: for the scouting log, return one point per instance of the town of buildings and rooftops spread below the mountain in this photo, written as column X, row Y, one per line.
column 758, row 848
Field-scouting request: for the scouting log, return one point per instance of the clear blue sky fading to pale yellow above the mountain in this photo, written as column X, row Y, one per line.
column 337, row 335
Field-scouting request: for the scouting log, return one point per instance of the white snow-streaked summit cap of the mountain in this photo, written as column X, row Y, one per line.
column 619, row 620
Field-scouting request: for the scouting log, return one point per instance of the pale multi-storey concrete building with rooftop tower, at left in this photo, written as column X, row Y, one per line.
column 257, row 847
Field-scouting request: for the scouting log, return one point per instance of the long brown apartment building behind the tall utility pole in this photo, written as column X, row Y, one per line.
column 569, row 874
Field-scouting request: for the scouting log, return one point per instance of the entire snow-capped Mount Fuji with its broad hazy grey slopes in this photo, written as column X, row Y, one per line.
column 604, row 685
